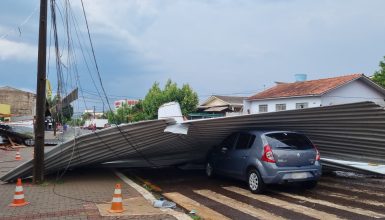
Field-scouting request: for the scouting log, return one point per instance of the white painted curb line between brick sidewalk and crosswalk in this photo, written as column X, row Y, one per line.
column 150, row 197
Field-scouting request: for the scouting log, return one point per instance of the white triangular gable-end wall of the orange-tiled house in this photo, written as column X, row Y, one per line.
column 356, row 91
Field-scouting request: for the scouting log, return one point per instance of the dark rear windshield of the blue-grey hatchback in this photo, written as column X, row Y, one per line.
column 293, row 141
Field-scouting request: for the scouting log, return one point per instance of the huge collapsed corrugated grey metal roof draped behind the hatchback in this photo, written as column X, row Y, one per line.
column 351, row 131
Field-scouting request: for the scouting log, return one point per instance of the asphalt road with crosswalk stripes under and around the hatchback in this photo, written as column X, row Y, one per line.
column 336, row 196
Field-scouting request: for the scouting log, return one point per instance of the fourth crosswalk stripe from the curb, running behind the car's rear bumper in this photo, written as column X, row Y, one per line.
column 333, row 205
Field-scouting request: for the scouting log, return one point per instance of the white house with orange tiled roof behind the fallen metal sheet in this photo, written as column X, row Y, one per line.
column 314, row 93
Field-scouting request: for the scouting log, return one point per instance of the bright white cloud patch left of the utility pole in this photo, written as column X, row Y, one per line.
column 17, row 50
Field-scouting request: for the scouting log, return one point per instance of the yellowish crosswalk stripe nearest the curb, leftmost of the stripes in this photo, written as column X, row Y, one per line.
column 189, row 204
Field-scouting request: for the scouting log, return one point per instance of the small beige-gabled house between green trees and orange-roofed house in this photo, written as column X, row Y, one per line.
column 219, row 106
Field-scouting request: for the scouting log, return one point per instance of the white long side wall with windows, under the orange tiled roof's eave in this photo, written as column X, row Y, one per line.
column 290, row 103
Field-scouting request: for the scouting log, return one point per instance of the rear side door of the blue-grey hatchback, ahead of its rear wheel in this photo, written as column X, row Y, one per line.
column 239, row 156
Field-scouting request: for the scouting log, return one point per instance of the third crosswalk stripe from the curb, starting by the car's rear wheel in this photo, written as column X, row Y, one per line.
column 287, row 205
